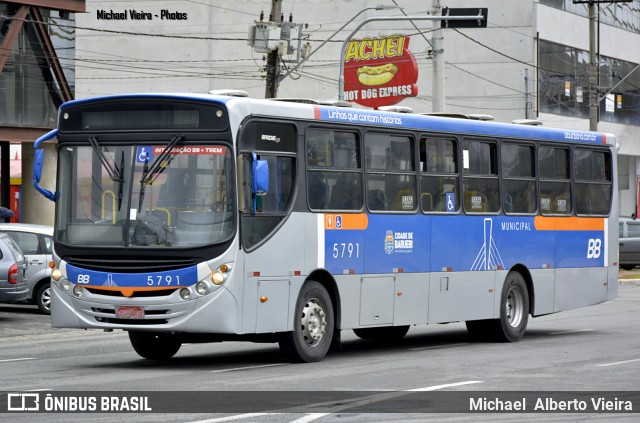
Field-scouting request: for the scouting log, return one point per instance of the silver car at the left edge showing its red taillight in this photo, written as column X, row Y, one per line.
column 13, row 264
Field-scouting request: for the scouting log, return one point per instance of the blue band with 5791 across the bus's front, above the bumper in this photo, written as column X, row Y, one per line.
column 167, row 279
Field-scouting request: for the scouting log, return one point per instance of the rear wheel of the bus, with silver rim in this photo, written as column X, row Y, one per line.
column 514, row 314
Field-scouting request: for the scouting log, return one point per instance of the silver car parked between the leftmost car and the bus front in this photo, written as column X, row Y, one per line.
column 36, row 242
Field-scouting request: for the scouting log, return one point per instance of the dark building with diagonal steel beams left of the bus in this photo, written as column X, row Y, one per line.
column 37, row 74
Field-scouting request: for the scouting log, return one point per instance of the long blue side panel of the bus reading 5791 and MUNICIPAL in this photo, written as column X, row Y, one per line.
column 419, row 243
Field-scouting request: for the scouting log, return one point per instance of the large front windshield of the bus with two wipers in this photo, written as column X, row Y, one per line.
column 151, row 196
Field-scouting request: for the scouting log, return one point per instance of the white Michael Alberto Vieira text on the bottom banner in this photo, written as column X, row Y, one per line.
column 549, row 404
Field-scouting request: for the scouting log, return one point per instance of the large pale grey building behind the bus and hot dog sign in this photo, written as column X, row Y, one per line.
column 531, row 61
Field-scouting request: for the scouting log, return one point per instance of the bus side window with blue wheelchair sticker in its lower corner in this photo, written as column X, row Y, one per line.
column 439, row 178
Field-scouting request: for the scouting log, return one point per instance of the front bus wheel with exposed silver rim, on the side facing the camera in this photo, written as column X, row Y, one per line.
column 313, row 326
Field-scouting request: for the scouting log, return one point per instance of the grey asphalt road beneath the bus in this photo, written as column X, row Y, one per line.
column 591, row 349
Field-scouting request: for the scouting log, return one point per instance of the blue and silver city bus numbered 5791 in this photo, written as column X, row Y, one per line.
column 205, row 218
